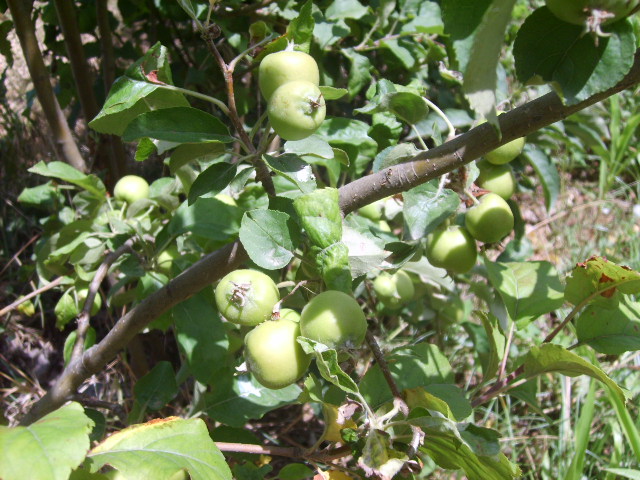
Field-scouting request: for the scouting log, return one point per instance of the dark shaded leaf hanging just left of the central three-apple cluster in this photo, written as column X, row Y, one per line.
column 201, row 337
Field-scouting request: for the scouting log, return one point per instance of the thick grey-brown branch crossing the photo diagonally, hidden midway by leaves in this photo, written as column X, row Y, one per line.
column 426, row 166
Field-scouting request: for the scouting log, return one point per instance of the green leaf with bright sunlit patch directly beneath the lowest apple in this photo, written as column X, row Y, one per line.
column 236, row 400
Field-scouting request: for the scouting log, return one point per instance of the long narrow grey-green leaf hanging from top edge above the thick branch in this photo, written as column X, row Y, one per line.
column 480, row 74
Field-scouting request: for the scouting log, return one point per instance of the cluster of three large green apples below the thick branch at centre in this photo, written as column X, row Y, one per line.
column 271, row 350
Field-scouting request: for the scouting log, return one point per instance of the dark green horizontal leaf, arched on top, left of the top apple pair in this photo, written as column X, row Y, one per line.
column 177, row 124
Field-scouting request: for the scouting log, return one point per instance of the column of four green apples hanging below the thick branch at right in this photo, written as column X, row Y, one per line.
column 489, row 220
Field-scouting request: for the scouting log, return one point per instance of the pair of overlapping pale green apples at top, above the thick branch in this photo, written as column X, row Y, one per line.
column 289, row 81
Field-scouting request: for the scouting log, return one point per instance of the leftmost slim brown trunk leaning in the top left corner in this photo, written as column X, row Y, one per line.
column 66, row 148
